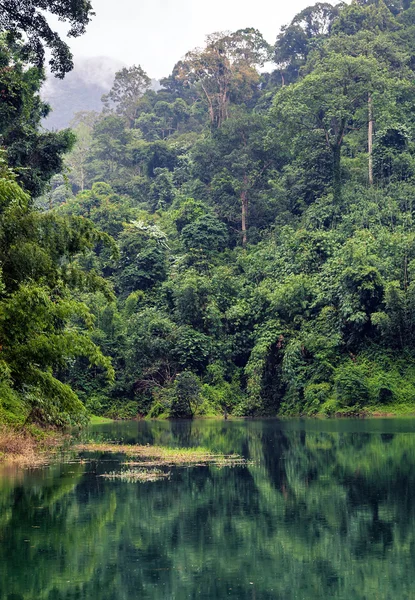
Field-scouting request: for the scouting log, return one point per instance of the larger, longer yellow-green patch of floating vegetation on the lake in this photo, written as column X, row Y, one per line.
column 158, row 456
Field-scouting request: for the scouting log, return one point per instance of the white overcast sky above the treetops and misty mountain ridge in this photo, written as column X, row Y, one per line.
column 157, row 33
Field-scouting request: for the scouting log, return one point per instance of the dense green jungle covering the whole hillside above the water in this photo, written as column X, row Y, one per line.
column 240, row 241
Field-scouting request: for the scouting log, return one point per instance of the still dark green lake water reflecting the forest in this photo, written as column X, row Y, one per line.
column 325, row 509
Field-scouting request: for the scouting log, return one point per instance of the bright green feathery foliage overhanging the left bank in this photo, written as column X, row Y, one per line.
column 38, row 332
